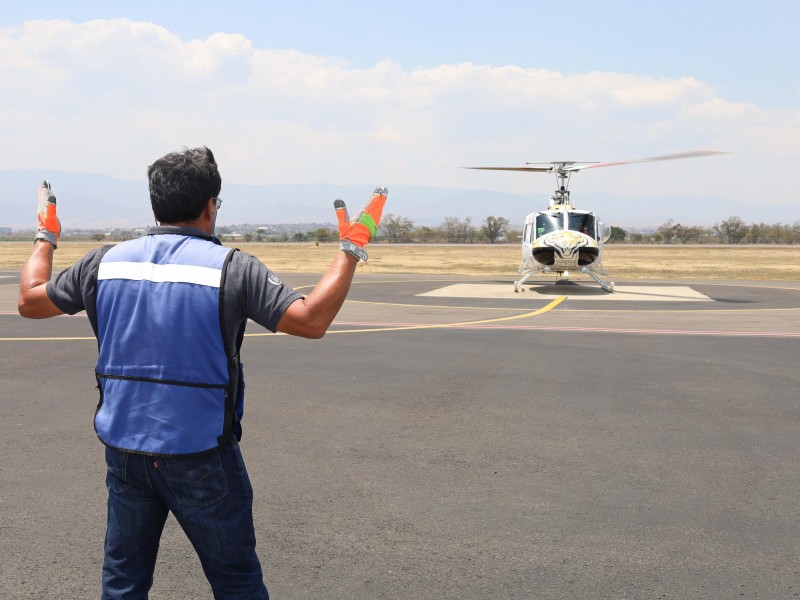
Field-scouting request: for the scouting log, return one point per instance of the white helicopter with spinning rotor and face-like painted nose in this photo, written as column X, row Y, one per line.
column 562, row 239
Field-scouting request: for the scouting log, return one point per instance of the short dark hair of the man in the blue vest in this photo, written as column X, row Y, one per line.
column 181, row 184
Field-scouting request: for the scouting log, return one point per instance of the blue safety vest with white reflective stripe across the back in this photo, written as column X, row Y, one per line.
column 167, row 384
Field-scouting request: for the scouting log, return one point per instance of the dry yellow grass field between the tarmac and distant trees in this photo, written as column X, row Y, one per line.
column 622, row 261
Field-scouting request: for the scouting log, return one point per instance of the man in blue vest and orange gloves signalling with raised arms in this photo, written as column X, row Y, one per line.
column 169, row 311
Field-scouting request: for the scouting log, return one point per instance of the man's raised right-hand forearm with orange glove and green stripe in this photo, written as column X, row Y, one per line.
column 312, row 316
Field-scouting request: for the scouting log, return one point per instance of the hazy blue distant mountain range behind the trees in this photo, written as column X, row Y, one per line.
column 91, row 201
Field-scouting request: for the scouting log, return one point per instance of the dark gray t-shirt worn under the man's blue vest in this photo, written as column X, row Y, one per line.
column 251, row 290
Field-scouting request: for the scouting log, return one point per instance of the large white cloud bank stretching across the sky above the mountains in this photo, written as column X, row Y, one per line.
column 111, row 96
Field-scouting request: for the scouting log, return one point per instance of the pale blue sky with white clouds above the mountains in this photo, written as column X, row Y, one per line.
column 378, row 93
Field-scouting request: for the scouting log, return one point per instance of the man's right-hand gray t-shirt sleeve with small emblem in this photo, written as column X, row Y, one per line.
column 258, row 293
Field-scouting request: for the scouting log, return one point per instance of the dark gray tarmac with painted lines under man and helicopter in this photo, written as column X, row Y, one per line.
column 449, row 438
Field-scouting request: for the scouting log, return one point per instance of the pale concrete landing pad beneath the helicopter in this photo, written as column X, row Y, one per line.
column 640, row 293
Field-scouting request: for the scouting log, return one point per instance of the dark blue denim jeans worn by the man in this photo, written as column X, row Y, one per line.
column 212, row 500
